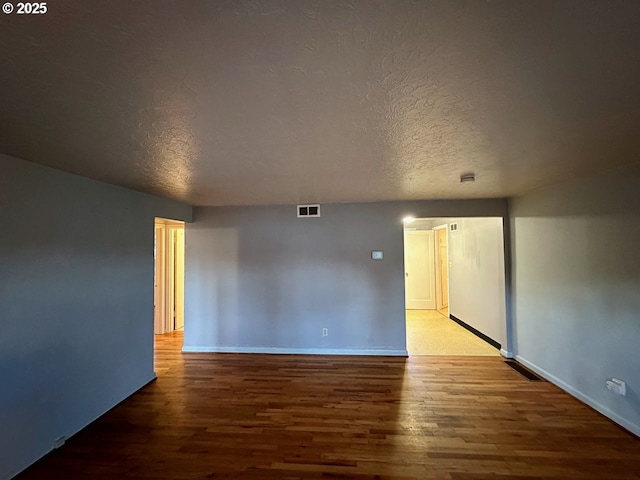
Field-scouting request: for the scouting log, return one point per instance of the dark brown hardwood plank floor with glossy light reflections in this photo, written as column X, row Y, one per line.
column 234, row 416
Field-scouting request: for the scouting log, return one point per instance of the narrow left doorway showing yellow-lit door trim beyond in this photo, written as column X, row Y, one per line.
column 168, row 293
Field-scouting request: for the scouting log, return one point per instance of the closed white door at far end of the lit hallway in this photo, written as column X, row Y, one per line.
column 420, row 291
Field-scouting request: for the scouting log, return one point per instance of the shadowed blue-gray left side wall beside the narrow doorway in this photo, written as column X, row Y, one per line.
column 76, row 296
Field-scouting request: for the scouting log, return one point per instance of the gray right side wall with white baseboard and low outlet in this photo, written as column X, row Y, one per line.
column 576, row 286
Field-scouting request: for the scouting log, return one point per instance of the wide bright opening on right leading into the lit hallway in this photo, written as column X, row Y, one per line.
column 454, row 286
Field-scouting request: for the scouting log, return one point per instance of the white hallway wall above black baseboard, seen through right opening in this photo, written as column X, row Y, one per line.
column 477, row 275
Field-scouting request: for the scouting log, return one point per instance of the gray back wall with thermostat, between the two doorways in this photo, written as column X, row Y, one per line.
column 260, row 279
